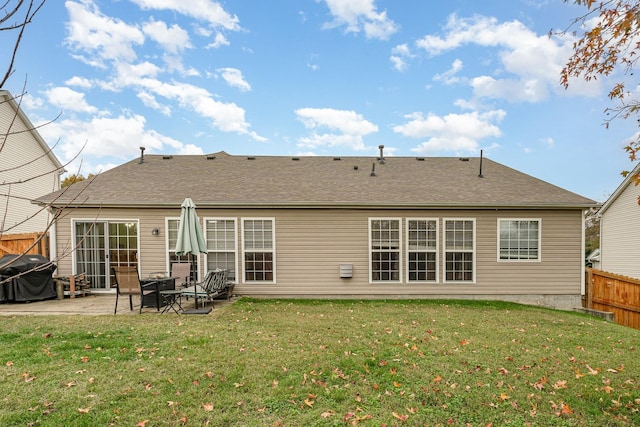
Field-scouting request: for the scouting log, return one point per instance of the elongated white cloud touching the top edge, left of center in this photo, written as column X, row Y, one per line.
column 204, row 10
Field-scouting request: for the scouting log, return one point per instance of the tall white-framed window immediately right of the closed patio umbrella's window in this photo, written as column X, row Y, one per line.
column 258, row 246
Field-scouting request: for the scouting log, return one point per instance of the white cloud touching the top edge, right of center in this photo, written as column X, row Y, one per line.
column 361, row 15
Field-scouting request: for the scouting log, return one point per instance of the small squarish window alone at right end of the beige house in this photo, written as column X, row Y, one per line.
column 519, row 239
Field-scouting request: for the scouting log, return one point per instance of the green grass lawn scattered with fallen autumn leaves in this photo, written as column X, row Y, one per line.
column 305, row 363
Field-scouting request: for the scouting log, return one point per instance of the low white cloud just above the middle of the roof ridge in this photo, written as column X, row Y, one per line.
column 346, row 128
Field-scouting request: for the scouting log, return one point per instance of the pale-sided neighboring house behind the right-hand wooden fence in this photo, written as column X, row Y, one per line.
column 620, row 229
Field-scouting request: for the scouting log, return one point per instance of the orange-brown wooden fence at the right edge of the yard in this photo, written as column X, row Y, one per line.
column 614, row 293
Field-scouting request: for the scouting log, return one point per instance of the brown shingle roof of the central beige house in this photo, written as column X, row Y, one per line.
column 227, row 180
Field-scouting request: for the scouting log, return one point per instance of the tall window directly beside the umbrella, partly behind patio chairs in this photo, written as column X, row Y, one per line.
column 221, row 245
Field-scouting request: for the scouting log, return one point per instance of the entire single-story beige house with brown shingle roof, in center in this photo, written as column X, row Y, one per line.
column 347, row 227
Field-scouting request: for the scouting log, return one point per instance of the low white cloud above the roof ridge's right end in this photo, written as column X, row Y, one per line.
column 457, row 133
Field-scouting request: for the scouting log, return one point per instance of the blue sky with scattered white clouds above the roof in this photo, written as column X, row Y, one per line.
column 319, row 77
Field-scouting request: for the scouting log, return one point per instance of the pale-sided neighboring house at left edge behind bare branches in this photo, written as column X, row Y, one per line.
column 28, row 170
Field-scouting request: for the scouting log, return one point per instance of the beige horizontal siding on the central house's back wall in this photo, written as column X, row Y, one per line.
column 312, row 243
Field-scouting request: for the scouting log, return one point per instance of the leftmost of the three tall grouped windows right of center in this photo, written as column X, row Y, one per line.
column 384, row 238
